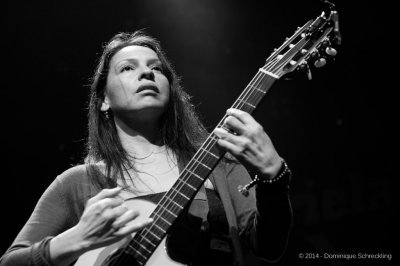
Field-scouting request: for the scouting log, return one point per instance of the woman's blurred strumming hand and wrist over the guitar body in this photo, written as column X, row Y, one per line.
column 104, row 221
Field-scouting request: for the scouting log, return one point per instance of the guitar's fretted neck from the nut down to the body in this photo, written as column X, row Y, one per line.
column 193, row 176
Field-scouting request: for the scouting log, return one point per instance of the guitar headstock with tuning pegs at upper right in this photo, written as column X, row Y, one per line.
column 312, row 43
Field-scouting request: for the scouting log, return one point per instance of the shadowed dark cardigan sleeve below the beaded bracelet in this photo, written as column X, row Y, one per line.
column 264, row 217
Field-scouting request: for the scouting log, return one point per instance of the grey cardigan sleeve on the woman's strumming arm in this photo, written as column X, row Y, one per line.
column 55, row 212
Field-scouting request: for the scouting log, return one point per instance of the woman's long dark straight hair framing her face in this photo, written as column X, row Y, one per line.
column 182, row 130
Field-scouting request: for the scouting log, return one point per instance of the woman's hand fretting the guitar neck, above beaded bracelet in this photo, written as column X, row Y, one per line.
column 246, row 139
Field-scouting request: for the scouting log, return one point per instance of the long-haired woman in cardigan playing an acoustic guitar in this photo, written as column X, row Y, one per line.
column 143, row 130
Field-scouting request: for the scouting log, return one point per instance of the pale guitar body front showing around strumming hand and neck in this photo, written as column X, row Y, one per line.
column 160, row 257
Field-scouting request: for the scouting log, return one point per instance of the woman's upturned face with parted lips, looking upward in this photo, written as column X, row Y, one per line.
column 136, row 86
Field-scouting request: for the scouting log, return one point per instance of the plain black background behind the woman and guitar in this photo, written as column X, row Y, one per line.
column 335, row 131
